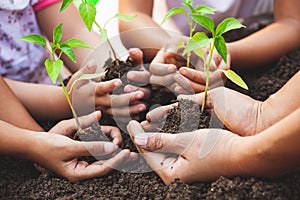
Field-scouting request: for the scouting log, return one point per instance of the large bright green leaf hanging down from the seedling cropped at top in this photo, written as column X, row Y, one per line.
column 88, row 13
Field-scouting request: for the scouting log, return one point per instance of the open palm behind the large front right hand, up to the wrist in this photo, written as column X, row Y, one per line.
column 239, row 113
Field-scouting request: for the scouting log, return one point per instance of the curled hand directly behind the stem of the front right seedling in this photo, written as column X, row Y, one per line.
column 192, row 81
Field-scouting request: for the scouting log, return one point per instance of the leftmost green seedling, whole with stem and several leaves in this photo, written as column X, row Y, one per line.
column 55, row 64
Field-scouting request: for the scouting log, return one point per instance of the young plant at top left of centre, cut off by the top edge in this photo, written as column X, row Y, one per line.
column 88, row 11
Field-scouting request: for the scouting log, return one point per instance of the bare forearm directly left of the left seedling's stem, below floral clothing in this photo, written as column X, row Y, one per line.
column 43, row 102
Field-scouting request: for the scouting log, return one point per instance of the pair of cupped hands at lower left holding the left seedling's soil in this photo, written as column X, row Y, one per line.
column 49, row 147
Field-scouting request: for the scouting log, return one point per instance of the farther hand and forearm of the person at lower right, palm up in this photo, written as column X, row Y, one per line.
column 250, row 116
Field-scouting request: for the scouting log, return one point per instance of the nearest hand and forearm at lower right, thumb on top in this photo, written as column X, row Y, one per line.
column 271, row 153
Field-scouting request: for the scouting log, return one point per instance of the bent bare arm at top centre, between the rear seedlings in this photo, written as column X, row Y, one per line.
column 147, row 33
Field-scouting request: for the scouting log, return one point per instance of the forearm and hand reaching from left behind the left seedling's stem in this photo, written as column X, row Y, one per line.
column 86, row 96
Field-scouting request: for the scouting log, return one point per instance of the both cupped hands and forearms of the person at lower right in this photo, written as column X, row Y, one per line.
column 261, row 141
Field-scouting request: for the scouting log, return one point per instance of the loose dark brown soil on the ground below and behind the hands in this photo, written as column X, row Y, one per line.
column 20, row 180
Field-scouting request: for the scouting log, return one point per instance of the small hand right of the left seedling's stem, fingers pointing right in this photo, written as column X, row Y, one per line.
column 88, row 95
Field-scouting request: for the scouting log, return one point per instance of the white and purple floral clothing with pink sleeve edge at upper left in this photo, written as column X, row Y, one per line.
column 20, row 60
